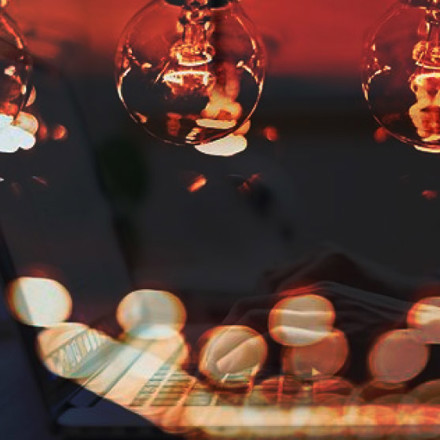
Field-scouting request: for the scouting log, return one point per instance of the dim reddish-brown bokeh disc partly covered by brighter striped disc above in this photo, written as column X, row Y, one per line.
column 313, row 362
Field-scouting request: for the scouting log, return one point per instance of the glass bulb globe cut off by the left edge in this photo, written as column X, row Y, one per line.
column 15, row 69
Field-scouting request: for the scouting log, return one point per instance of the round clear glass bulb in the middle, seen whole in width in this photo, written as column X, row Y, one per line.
column 190, row 71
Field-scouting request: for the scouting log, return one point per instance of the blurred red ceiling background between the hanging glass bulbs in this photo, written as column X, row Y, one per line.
column 305, row 37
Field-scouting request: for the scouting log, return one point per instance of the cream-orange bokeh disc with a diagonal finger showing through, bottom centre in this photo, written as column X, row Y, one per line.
column 232, row 355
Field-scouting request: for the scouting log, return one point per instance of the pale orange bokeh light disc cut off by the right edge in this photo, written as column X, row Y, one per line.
column 425, row 316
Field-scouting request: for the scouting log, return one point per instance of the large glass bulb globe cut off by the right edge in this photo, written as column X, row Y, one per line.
column 401, row 73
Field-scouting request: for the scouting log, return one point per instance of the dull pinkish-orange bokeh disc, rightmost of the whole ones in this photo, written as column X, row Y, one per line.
column 398, row 356
